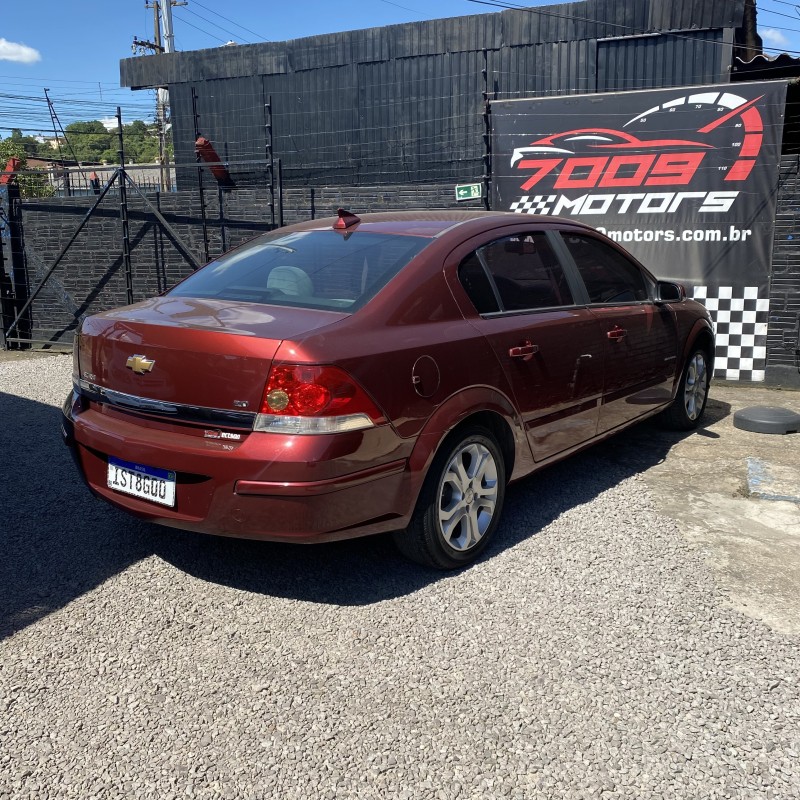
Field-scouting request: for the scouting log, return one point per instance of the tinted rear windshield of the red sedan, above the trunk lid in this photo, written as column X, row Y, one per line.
column 310, row 269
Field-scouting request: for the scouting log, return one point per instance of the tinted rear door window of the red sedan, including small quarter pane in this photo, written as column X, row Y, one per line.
column 525, row 273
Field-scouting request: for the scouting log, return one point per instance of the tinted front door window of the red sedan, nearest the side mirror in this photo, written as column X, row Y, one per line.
column 609, row 277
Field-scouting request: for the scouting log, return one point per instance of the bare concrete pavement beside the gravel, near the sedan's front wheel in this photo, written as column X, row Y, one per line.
column 725, row 487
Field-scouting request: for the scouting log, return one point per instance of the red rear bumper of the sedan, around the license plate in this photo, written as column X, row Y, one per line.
column 267, row 486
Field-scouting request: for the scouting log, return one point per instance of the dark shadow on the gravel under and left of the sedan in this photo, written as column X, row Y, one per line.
column 59, row 542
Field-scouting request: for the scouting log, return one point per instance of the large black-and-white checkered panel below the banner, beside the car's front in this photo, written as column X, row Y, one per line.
column 740, row 324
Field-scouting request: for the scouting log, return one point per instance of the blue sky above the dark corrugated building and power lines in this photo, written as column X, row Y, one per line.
column 73, row 47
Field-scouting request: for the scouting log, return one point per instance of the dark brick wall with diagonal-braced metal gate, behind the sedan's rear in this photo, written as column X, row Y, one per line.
column 80, row 255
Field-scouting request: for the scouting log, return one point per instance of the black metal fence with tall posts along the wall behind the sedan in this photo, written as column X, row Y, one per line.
column 95, row 237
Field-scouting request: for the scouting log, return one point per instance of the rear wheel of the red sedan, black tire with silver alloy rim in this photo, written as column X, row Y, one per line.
column 460, row 504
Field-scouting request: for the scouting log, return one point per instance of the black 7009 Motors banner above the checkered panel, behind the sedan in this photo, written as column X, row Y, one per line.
column 685, row 178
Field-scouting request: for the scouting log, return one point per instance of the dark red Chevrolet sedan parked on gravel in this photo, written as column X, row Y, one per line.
column 394, row 372
